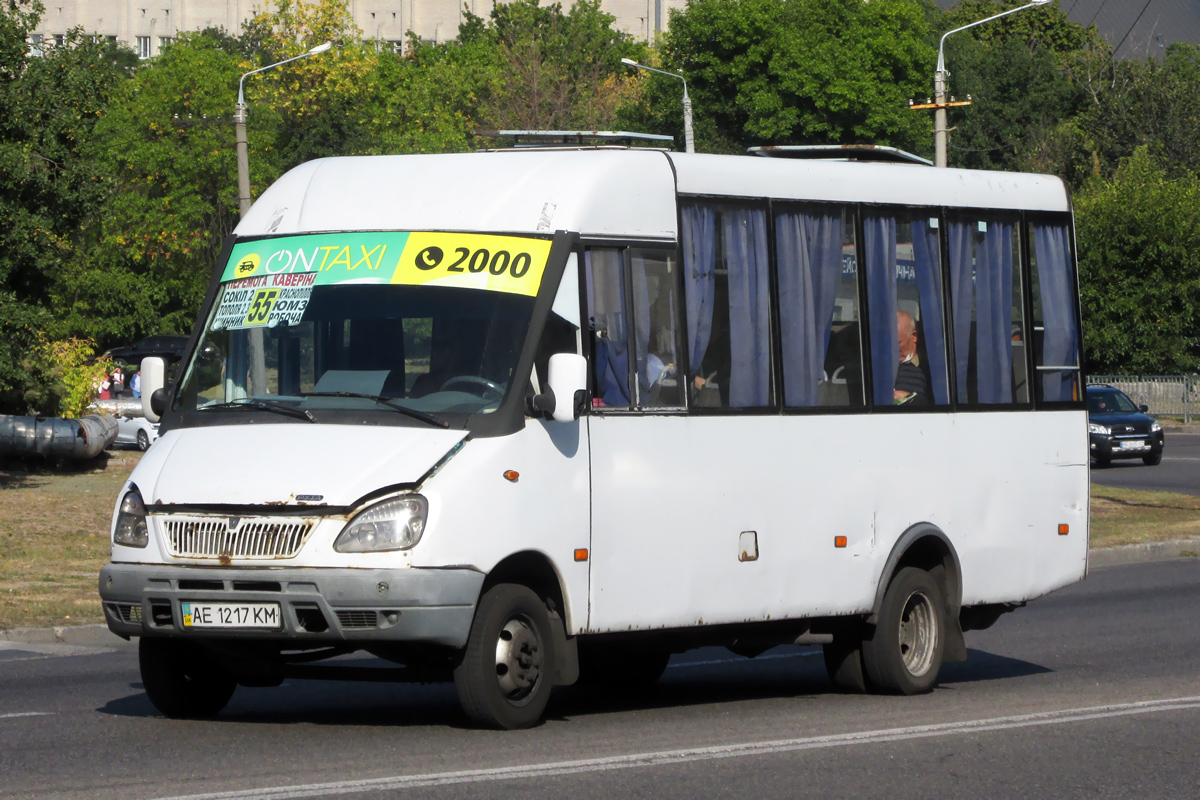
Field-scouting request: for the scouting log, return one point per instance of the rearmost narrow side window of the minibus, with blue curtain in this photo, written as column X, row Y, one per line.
column 1055, row 323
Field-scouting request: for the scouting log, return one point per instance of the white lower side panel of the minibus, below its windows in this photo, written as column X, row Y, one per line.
column 673, row 497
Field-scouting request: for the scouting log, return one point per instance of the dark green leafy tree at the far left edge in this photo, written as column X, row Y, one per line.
column 50, row 189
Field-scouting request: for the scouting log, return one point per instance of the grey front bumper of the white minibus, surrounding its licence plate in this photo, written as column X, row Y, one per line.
column 317, row 605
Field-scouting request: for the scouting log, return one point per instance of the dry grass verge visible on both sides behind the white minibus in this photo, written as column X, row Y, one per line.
column 55, row 534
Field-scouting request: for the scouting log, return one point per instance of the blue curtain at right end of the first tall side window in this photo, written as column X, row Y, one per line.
column 746, row 256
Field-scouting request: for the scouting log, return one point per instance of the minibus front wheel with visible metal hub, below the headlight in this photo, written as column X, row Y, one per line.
column 505, row 677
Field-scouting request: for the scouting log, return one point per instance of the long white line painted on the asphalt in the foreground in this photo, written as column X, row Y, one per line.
column 704, row 754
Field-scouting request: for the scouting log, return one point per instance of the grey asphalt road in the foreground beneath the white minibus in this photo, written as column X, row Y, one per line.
column 1094, row 691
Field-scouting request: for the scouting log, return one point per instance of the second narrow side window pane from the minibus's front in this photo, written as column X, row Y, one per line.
column 656, row 280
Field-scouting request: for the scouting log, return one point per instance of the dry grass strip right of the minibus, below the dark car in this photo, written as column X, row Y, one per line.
column 1133, row 518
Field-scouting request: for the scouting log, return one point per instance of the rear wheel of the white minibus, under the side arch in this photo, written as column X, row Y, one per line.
column 904, row 653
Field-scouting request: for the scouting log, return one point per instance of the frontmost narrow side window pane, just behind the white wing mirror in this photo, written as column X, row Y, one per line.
column 605, row 275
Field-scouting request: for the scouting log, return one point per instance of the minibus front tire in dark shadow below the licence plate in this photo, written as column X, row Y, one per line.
column 181, row 681
